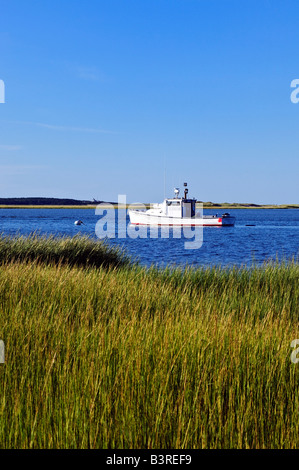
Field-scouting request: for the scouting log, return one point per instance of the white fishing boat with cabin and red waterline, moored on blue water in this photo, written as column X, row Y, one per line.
column 178, row 211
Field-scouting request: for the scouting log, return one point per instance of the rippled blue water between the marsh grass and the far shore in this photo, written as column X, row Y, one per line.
column 272, row 234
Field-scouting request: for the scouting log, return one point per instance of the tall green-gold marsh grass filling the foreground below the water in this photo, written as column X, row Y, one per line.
column 113, row 355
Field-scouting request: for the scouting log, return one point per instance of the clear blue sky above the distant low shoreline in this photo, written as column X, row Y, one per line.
column 112, row 97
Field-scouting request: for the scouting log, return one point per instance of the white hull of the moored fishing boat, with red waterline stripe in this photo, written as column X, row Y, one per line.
column 142, row 218
